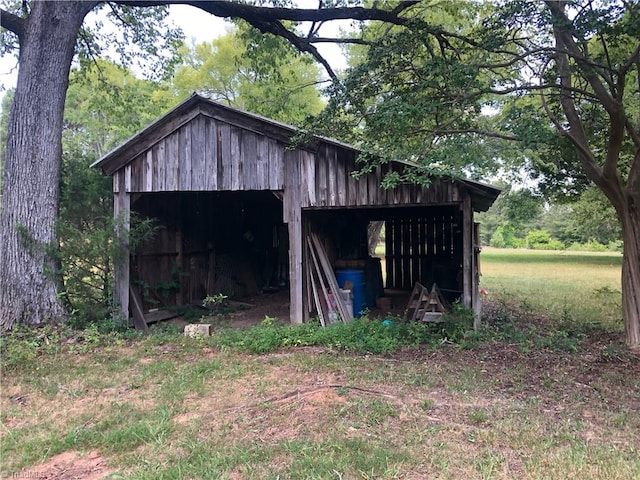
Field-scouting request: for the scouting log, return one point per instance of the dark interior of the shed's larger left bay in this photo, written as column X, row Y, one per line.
column 234, row 243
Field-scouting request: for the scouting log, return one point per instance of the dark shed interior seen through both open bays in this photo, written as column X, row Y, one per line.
column 236, row 243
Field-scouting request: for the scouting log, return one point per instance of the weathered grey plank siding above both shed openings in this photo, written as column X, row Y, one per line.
column 208, row 154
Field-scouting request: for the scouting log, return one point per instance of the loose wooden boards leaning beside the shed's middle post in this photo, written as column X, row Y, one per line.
column 324, row 289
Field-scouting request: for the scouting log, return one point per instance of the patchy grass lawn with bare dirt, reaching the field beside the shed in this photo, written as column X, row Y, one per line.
column 534, row 395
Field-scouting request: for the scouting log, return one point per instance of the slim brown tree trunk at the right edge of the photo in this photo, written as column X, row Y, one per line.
column 631, row 273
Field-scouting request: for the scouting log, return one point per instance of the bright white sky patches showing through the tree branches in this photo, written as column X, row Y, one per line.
column 202, row 27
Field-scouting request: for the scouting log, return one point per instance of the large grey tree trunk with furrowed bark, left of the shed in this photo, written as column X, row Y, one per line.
column 28, row 292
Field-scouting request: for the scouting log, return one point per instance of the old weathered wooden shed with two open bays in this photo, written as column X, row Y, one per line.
column 235, row 201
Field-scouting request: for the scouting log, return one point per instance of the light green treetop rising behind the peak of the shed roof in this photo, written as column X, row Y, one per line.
column 259, row 73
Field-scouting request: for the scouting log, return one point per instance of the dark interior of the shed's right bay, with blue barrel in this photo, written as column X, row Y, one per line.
column 421, row 244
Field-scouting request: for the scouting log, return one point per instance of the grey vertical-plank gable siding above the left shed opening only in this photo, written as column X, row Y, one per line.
column 206, row 154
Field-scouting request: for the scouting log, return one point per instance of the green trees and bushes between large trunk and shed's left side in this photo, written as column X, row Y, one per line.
column 105, row 104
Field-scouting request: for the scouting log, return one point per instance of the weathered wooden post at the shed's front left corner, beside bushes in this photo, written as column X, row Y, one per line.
column 122, row 215
